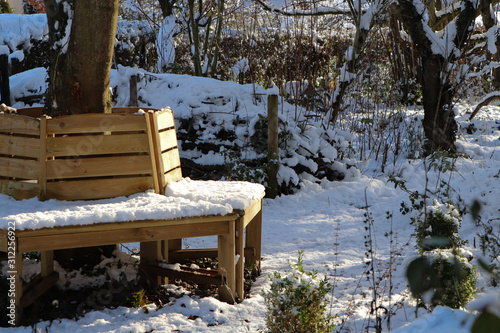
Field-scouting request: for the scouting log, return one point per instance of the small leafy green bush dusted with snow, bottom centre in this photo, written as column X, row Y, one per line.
column 296, row 301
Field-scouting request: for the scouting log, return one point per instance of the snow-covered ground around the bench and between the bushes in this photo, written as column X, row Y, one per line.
column 327, row 221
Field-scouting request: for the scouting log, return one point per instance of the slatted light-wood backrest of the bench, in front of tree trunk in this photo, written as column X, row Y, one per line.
column 89, row 156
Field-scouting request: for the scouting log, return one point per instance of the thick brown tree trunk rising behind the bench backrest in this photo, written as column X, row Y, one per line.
column 81, row 65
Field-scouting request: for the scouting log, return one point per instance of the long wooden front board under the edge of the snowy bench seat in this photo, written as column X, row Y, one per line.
column 69, row 241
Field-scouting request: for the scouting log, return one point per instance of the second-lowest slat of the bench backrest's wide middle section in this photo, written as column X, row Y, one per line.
column 98, row 167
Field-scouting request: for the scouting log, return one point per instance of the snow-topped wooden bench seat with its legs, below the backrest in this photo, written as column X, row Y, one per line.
column 222, row 209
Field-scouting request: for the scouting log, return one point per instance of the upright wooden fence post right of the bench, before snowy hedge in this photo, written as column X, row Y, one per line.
column 272, row 143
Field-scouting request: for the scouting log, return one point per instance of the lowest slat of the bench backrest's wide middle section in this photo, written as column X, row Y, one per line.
column 98, row 188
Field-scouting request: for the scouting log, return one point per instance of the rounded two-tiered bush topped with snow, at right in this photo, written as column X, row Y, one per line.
column 443, row 274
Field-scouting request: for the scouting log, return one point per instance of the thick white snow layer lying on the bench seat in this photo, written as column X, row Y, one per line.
column 185, row 198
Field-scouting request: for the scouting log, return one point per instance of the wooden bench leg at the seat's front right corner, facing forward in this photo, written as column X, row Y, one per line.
column 227, row 250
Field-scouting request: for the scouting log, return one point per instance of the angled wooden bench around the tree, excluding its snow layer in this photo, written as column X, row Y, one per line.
column 102, row 156
